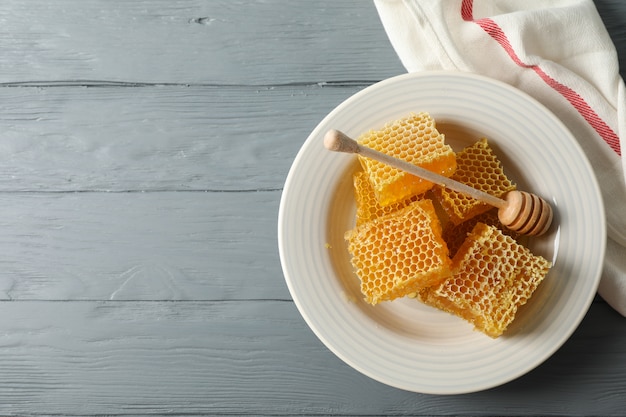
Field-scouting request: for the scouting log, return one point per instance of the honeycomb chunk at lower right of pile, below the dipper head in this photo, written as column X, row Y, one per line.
column 493, row 276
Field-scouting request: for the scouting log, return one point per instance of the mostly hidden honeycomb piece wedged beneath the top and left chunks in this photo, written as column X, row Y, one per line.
column 367, row 206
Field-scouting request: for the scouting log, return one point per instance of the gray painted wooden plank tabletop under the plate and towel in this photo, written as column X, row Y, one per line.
column 144, row 148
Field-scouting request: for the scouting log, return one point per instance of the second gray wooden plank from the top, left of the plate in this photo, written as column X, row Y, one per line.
column 161, row 138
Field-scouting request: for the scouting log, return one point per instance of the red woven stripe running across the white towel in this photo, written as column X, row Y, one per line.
column 492, row 28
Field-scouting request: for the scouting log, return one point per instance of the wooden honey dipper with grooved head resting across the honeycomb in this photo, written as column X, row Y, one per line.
column 519, row 211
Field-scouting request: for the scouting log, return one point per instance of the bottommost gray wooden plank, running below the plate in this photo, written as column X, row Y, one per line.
column 140, row 358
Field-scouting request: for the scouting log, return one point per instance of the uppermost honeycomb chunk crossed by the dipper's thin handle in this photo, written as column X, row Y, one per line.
column 414, row 139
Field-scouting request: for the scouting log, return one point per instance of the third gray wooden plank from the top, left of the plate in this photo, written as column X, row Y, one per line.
column 140, row 246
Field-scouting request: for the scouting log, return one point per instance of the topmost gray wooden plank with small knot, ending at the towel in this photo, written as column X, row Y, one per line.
column 215, row 42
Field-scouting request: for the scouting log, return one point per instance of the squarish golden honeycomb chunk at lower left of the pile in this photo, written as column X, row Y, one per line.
column 399, row 253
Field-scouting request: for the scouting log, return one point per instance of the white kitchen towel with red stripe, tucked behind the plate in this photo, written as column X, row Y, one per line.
column 557, row 51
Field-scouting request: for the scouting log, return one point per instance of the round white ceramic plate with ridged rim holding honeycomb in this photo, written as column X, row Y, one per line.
column 406, row 344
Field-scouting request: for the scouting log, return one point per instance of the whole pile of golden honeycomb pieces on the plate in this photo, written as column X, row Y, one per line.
column 471, row 266
